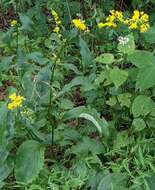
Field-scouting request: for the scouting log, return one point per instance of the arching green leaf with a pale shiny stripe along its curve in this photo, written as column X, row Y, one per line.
column 89, row 114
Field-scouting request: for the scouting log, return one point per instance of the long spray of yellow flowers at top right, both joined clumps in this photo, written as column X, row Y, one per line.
column 139, row 20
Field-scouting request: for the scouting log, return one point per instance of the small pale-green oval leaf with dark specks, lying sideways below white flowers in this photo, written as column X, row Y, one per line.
column 106, row 58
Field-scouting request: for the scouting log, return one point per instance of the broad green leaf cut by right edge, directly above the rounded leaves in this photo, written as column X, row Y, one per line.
column 146, row 78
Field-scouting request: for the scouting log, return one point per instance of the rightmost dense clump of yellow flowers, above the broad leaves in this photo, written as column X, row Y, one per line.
column 139, row 20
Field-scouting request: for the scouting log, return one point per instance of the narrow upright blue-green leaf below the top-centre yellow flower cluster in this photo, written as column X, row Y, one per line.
column 85, row 53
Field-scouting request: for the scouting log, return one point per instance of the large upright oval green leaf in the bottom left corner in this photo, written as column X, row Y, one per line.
column 29, row 161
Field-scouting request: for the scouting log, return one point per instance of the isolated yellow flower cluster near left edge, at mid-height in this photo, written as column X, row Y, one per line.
column 16, row 101
